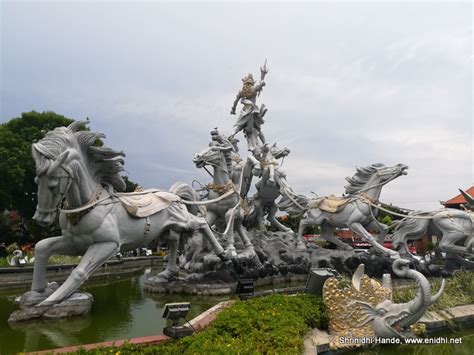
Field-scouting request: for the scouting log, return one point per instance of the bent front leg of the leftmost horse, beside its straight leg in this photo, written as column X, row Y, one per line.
column 43, row 250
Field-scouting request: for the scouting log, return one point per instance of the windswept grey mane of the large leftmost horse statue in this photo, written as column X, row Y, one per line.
column 105, row 163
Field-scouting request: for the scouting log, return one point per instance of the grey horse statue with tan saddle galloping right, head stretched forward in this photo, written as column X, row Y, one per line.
column 355, row 211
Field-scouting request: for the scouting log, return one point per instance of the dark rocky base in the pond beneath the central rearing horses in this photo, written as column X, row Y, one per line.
column 274, row 255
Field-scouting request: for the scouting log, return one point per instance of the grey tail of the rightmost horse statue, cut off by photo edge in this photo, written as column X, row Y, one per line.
column 409, row 229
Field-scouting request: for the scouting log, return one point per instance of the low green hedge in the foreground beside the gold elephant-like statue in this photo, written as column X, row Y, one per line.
column 267, row 325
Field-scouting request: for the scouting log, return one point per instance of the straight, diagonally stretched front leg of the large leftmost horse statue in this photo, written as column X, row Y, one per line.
column 94, row 257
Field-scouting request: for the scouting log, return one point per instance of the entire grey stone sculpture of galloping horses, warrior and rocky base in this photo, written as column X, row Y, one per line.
column 79, row 182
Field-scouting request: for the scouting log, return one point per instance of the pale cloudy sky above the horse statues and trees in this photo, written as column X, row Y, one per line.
column 350, row 84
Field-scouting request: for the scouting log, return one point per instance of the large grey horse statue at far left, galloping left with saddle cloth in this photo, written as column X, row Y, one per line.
column 95, row 223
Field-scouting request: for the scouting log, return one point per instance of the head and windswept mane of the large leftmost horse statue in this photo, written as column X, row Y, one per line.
column 66, row 154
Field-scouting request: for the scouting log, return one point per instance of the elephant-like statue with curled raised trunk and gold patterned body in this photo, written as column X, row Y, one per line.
column 366, row 309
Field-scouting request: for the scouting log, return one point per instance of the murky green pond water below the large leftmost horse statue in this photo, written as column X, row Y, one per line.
column 121, row 310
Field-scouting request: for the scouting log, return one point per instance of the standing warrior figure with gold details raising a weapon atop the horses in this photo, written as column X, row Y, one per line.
column 251, row 117
